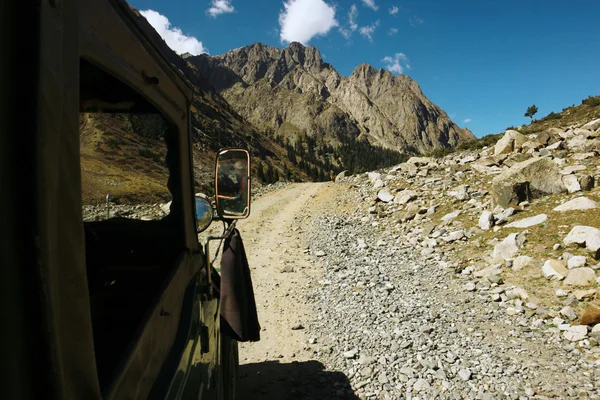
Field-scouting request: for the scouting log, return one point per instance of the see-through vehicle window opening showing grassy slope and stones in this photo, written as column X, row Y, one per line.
column 123, row 167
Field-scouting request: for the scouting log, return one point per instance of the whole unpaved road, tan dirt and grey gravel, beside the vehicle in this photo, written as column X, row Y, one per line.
column 350, row 311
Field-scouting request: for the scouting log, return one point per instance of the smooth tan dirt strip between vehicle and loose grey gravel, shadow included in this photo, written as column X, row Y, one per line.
column 282, row 365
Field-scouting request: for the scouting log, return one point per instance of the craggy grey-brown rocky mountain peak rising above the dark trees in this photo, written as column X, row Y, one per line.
column 293, row 91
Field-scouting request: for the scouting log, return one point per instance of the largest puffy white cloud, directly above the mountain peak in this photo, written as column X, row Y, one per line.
column 301, row 20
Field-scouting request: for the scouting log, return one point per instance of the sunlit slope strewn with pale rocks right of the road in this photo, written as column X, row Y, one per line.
column 518, row 220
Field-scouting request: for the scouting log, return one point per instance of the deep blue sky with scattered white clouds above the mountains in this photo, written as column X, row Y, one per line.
column 483, row 61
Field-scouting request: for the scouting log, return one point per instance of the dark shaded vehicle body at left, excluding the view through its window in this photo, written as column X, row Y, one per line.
column 154, row 332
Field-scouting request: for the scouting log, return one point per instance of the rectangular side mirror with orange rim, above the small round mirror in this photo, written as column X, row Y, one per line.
column 232, row 183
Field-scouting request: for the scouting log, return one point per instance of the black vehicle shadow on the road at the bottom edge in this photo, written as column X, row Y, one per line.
column 306, row 380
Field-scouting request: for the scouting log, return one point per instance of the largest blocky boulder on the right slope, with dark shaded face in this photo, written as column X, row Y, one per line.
column 527, row 180
